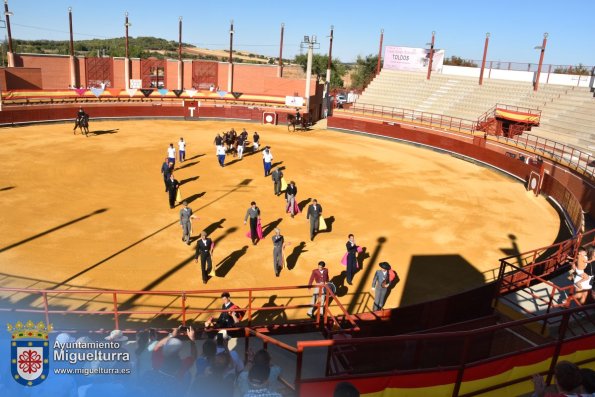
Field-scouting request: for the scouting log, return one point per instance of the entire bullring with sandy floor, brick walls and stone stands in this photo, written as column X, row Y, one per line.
column 478, row 193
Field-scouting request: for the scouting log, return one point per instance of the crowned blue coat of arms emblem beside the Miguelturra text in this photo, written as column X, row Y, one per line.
column 29, row 352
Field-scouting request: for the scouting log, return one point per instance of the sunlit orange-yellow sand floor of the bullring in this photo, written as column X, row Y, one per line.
column 92, row 213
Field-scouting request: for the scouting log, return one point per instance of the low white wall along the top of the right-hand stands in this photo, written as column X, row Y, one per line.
column 516, row 75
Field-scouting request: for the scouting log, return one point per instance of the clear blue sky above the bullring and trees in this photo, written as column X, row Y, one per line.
column 516, row 27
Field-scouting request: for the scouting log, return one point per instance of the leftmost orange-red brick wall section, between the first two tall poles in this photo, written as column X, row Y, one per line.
column 55, row 70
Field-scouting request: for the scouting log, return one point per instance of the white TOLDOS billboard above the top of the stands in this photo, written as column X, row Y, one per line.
column 411, row 59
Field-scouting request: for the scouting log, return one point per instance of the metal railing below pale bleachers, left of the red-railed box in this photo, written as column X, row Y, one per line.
column 415, row 116
